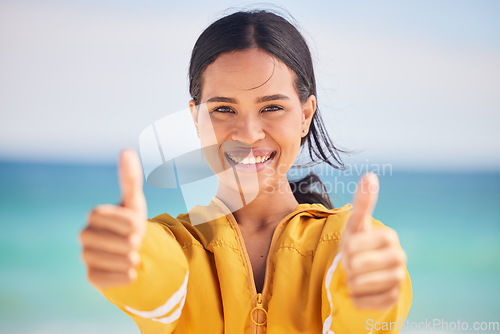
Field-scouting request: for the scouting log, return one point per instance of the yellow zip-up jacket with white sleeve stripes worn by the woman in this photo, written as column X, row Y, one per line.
column 198, row 279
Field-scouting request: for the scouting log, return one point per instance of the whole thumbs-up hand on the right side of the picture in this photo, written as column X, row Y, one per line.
column 373, row 261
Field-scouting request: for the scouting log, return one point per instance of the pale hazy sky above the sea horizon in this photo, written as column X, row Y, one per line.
column 411, row 83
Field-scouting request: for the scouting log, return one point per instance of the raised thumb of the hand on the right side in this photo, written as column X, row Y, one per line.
column 364, row 202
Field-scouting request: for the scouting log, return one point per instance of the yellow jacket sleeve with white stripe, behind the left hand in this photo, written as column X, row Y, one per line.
column 156, row 298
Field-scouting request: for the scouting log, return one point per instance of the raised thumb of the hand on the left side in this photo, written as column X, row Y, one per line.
column 130, row 177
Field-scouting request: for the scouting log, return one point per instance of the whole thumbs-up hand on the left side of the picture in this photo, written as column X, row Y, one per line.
column 112, row 238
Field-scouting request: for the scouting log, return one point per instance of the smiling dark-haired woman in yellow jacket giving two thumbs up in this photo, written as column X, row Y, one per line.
column 284, row 261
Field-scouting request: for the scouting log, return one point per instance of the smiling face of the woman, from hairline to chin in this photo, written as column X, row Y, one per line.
column 252, row 117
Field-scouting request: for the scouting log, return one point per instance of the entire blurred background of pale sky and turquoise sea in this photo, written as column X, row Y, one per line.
column 412, row 87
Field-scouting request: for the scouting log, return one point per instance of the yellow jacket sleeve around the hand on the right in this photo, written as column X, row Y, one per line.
column 340, row 315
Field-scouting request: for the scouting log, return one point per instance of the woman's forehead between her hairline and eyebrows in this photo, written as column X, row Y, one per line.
column 250, row 71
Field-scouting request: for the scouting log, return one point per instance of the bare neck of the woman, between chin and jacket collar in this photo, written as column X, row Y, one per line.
column 265, row 211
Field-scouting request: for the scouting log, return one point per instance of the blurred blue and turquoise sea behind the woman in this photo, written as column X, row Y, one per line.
column 448, row 223
